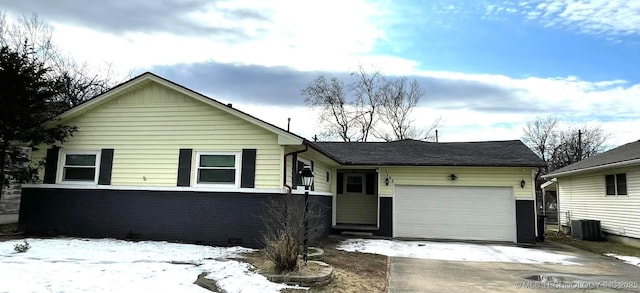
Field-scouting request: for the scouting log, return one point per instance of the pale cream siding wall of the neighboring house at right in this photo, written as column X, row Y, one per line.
column 584, row 197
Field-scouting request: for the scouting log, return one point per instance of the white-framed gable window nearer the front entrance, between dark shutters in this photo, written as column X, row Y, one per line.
column 217, row 168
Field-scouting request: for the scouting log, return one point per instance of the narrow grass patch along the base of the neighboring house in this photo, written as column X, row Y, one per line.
column 599, row 247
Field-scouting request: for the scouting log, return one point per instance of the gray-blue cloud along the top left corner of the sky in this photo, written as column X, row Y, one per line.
column 126, row 16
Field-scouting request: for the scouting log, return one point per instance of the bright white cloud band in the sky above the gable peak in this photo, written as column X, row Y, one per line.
column 307, row 35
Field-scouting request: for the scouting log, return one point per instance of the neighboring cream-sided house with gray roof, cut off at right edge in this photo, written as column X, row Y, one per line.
column 604, row 187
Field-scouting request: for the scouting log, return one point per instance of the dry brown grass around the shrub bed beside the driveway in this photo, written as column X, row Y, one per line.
column 352, row 272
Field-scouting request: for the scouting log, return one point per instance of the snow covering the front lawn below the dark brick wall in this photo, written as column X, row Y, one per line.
column 108, row 265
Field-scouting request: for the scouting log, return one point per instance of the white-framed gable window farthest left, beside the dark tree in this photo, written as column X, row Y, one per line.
column 80, row 167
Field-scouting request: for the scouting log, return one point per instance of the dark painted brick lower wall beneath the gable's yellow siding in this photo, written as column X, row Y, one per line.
column 213, row 218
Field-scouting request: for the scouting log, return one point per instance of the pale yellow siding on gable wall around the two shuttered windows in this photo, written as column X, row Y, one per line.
column 148, row 126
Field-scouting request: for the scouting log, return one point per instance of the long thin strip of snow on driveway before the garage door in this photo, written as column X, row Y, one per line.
column 455, row 251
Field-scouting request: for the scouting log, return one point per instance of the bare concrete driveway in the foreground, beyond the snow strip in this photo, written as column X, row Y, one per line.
column 592, row 272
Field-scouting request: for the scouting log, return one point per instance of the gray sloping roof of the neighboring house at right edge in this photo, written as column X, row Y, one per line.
column 623, row 155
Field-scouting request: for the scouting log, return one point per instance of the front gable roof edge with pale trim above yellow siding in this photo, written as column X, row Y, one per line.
column 284, row 137
